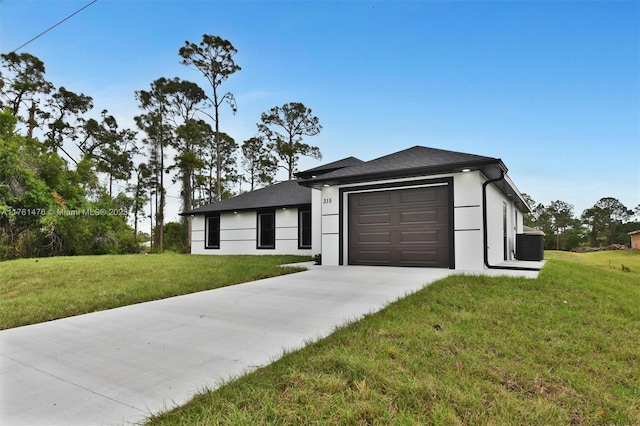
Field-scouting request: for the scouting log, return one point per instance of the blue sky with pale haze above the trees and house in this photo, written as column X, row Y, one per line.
column 551, row 87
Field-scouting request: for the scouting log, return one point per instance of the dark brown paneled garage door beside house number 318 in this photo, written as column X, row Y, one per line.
column 404, row 227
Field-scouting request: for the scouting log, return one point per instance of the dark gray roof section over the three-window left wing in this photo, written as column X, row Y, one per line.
column 283, row 194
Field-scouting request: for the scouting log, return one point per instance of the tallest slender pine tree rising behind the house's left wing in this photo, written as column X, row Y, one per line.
column 213, row 57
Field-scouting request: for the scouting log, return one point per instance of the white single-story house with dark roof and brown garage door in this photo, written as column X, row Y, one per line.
column 421, row 206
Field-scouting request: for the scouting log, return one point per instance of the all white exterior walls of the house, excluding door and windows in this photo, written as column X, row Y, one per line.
column 238, row 231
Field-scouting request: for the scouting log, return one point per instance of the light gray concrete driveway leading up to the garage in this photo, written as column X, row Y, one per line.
column 121, row 365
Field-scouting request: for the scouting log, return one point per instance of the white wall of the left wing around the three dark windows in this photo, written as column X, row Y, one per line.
column 238, row 234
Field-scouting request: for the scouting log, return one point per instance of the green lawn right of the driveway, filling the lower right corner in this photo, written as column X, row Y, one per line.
column 559, row 350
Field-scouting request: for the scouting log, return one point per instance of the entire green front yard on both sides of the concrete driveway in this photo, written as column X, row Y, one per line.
column 559, row 350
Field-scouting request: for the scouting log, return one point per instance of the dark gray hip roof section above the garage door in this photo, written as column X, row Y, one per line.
column 418, row 160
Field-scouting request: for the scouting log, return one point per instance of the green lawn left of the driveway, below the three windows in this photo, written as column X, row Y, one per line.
column 33, row 291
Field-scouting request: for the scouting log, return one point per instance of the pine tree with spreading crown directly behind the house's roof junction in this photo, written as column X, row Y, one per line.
column 284, row 128
